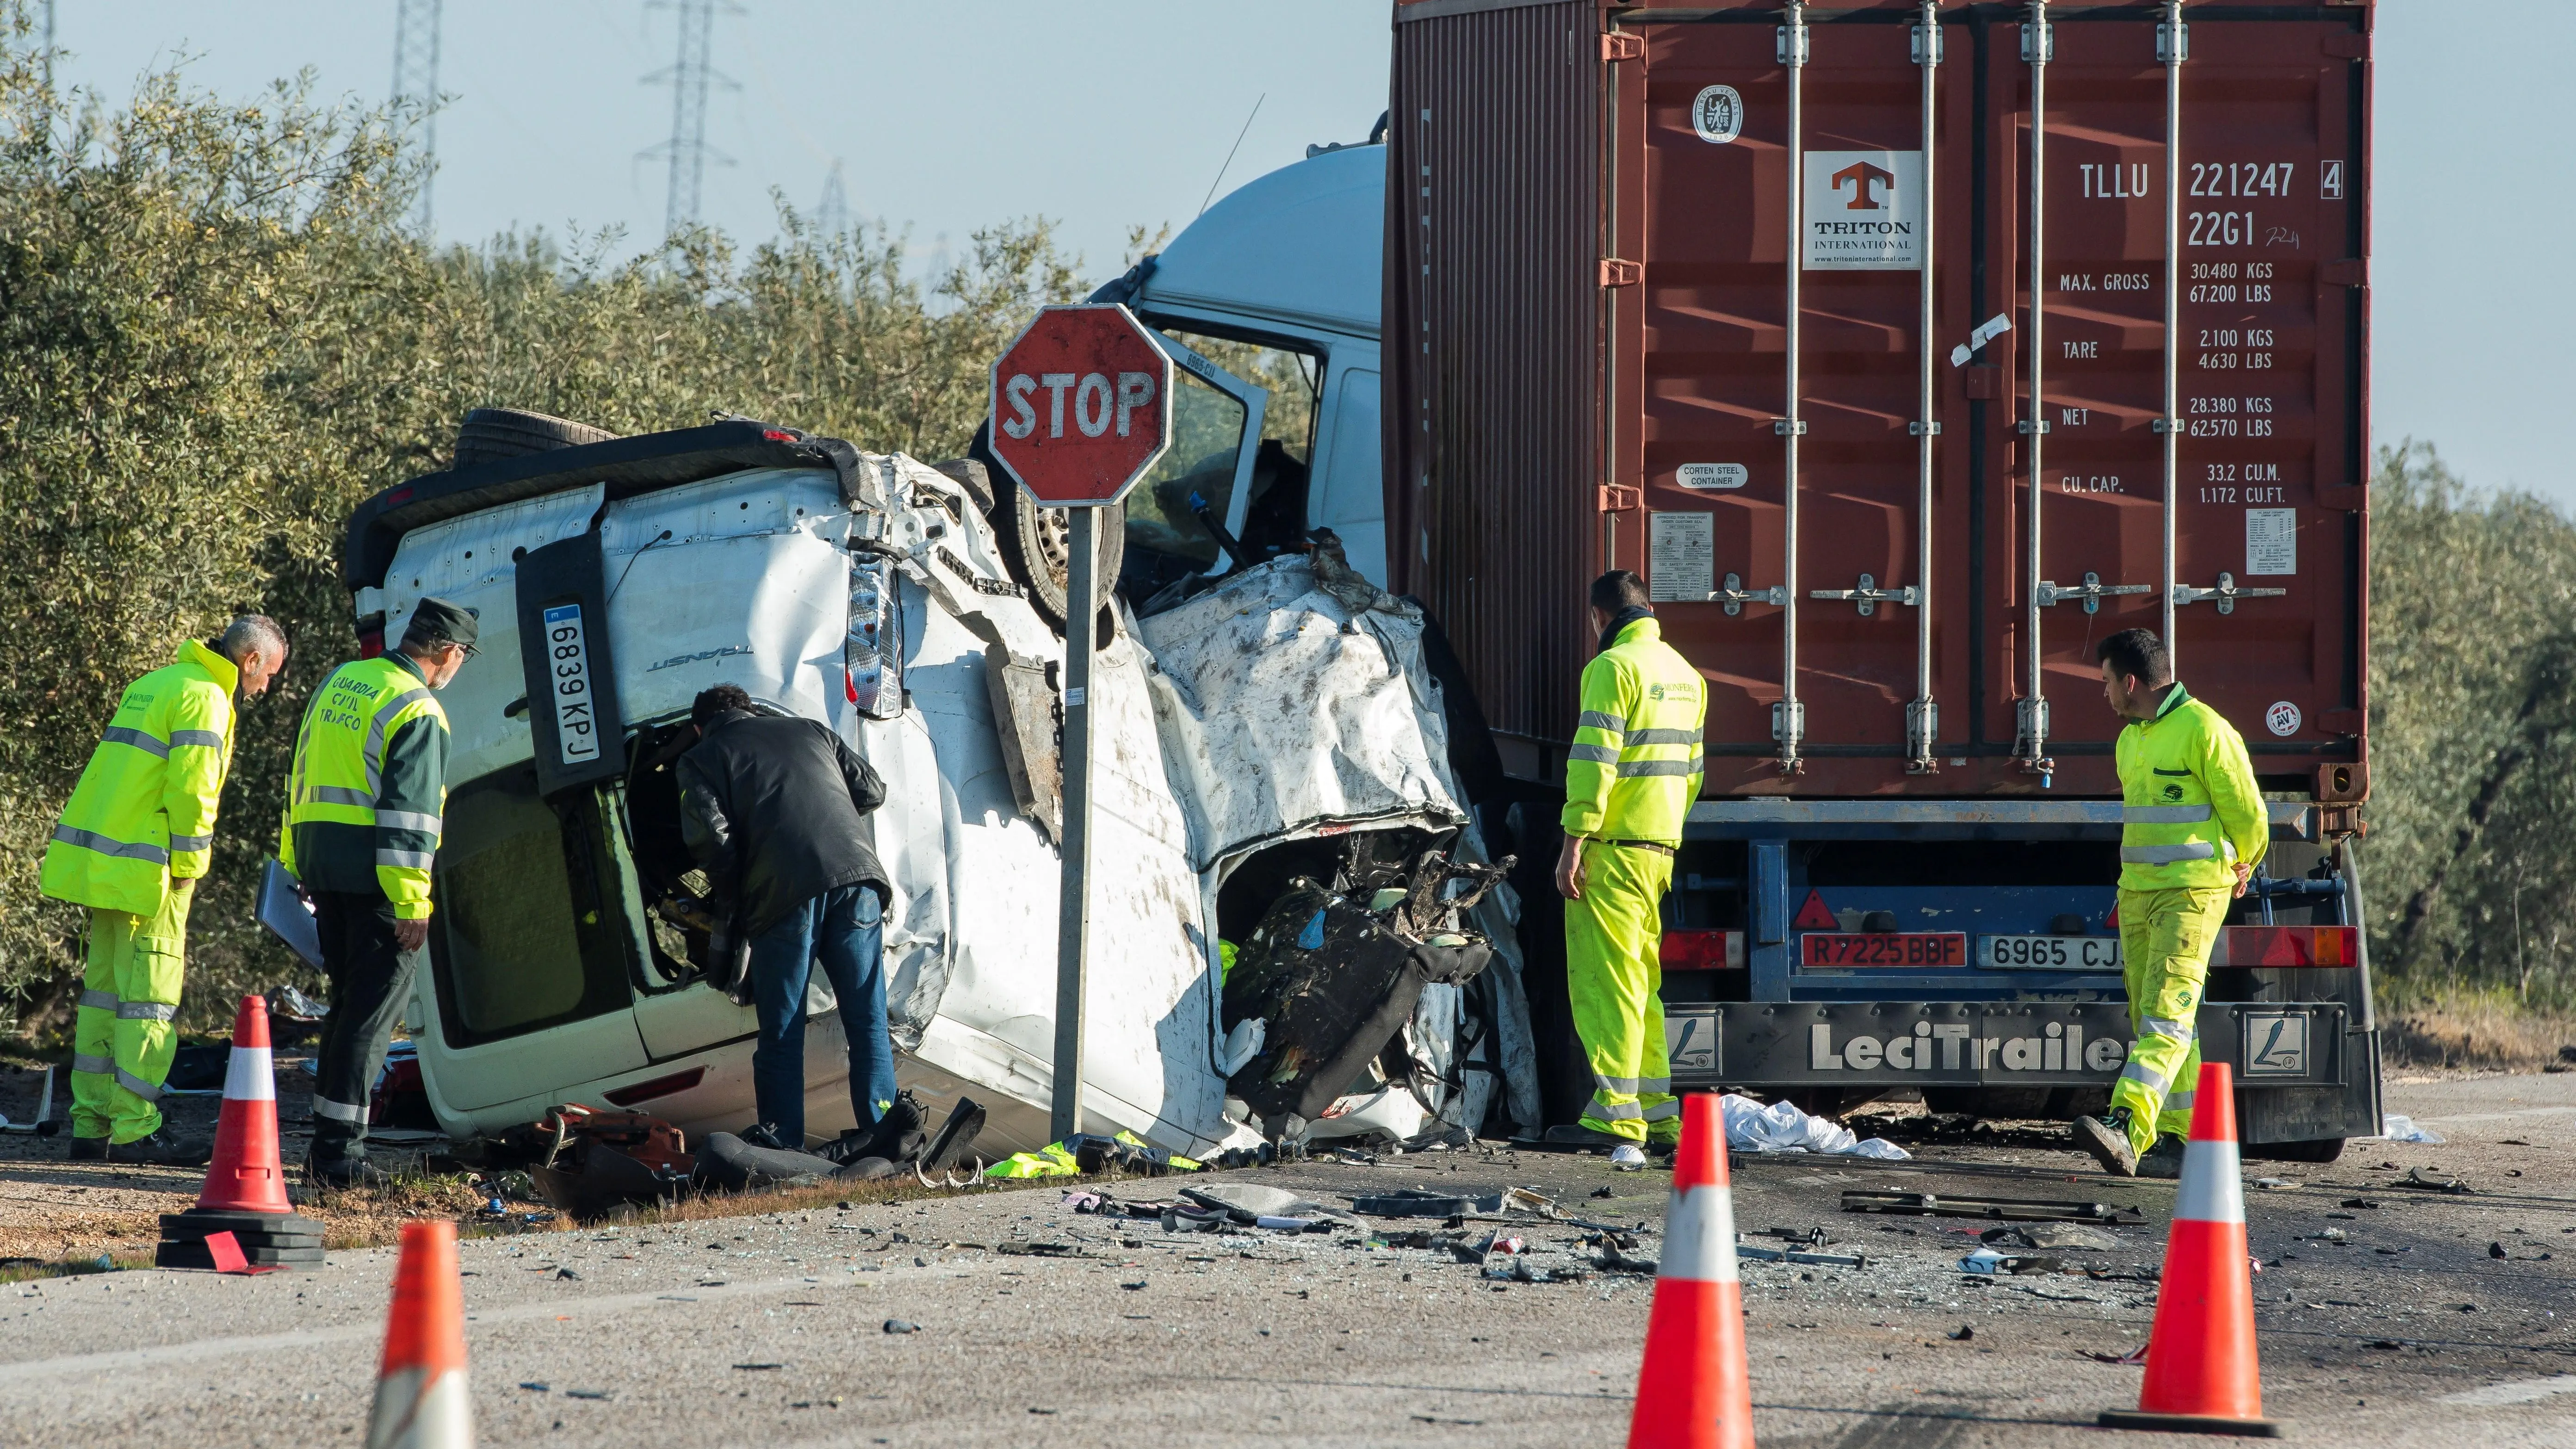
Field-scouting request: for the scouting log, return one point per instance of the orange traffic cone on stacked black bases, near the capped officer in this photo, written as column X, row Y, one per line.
column 246, row 1185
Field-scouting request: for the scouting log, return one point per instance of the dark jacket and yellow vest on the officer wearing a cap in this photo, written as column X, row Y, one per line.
column 370, row 785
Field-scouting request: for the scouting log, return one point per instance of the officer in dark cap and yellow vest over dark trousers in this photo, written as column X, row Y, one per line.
column 365, row 808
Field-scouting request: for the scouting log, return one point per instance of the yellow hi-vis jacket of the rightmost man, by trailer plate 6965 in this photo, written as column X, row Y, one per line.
column 2188, row 801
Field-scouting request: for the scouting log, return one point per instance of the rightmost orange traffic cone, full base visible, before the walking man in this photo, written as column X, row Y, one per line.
column 2201, row 1373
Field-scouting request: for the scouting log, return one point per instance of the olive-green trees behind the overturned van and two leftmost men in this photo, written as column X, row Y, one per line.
column 218, row 336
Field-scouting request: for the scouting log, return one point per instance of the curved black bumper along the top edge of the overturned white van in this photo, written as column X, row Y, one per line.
column 635, row 465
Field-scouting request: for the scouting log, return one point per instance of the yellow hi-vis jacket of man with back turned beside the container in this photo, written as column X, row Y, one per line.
column 1637, row 764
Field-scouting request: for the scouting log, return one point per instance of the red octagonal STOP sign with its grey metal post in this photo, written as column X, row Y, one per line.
column 1081, row 409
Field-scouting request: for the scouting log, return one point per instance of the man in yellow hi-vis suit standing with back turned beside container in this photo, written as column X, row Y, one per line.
column 1632, row 777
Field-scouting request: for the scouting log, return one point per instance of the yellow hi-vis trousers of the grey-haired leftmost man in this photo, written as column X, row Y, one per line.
column 125, row 1038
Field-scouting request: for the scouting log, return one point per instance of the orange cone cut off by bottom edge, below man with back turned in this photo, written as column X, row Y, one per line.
column 1694, row 1391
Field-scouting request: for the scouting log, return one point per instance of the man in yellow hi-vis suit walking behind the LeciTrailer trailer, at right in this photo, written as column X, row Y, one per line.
column 2191, row 831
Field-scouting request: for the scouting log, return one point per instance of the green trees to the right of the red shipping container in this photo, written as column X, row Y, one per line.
column 2472, row 736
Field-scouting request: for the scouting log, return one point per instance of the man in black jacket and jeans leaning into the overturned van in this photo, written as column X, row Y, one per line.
column 774, row 808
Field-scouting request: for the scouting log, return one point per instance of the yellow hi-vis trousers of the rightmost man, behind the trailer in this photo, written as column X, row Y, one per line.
column 2165, row 937
